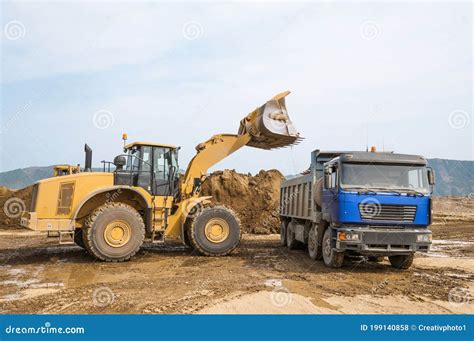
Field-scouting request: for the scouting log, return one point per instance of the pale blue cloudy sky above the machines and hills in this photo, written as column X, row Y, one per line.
column 396, row 75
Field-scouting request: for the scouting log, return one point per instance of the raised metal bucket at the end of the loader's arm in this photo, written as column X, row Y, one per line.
column 269, row 126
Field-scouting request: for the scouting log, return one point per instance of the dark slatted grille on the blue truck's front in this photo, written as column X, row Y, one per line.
column 373, row 211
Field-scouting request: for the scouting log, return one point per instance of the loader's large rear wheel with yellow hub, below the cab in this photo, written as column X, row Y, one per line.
column 114, row 232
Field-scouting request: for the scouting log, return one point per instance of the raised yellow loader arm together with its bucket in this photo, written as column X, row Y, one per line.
column 267, row 127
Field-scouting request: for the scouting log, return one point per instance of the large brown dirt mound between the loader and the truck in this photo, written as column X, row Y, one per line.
column 254, row 198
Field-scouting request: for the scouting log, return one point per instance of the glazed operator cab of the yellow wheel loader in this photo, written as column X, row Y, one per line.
column 151, row 166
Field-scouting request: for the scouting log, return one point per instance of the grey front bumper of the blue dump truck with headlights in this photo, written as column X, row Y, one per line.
column 383, row 241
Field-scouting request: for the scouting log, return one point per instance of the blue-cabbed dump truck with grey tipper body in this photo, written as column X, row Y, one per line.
column 354, row 203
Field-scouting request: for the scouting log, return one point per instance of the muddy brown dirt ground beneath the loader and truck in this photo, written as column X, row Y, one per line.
column 39, row 276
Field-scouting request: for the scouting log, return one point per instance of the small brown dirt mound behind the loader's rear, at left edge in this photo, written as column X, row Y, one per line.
column 12, row 203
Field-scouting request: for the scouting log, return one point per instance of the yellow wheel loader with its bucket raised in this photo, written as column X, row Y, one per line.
column 111, row 213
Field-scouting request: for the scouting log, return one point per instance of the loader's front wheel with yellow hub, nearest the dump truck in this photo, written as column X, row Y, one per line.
column 214, row 231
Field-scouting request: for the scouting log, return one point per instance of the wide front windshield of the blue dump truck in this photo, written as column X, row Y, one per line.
column 389, row 177
